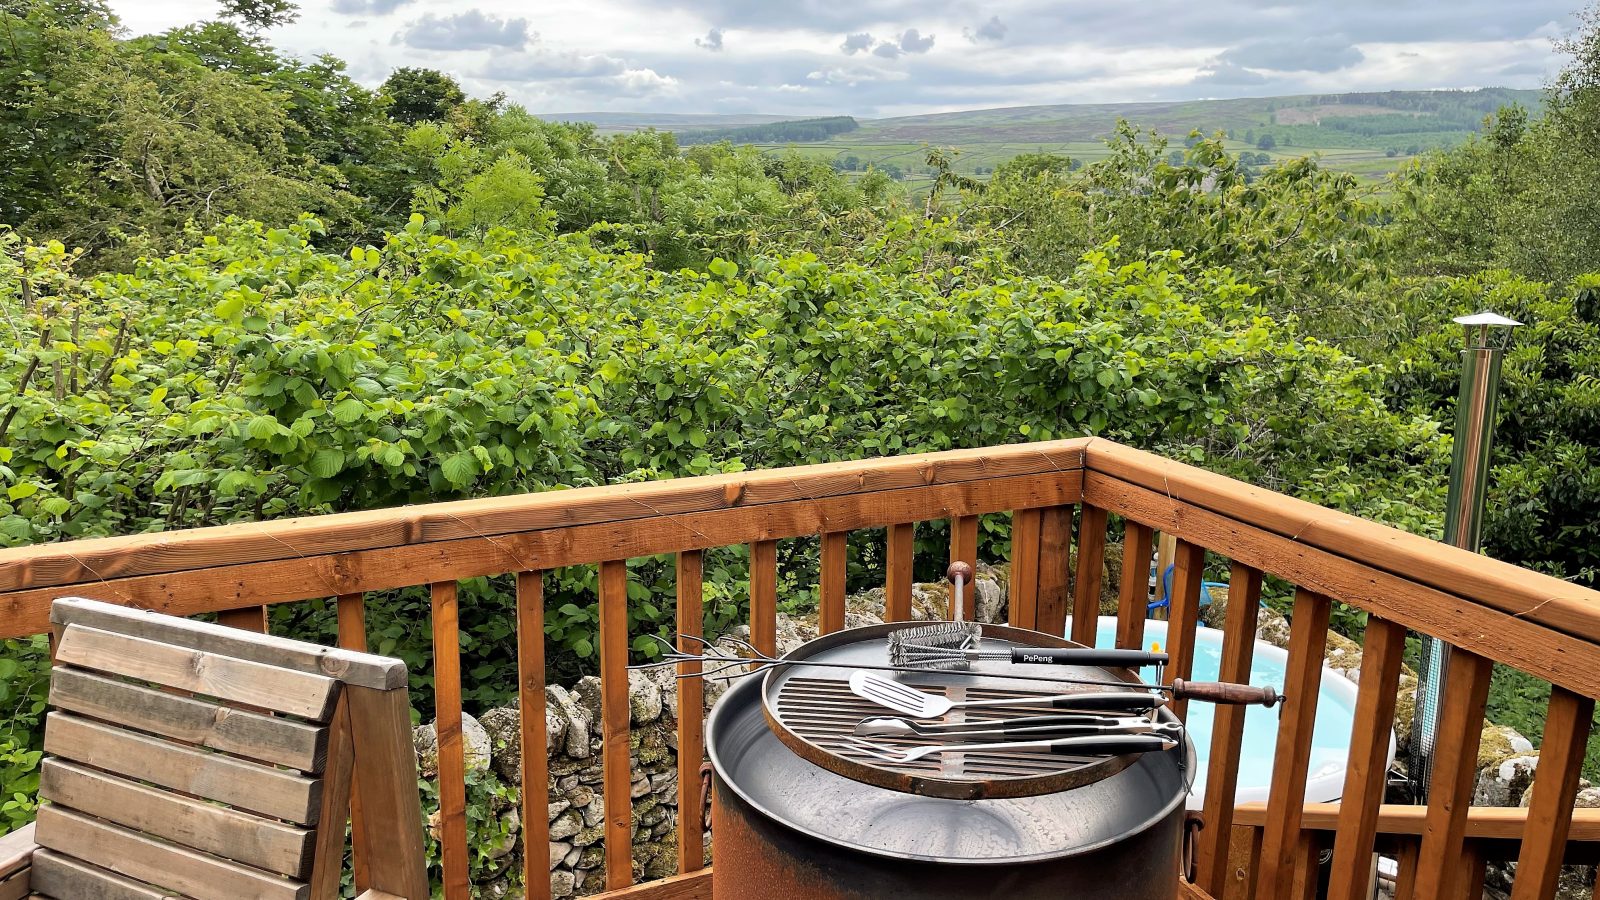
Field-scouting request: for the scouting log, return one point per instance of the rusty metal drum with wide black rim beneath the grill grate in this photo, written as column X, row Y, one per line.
column 790, row 829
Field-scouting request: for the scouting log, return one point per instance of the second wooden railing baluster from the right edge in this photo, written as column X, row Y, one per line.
column 1455, row 769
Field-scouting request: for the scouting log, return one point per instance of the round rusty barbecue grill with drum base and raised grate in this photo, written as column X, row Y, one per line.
column 801, row 813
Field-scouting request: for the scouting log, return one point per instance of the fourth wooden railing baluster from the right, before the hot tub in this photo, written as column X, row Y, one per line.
column 1292, row 758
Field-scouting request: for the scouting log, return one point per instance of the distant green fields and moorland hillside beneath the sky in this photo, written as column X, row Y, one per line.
column 1369, row 135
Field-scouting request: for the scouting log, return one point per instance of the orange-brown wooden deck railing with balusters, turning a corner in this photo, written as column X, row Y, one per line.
column 1055, row 494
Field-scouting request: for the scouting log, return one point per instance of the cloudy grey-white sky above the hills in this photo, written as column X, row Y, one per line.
column 878, row 58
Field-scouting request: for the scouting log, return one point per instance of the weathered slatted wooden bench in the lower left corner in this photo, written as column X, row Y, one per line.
column 190, row 760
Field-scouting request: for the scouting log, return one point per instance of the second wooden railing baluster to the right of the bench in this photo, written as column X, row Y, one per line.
column 532, row 737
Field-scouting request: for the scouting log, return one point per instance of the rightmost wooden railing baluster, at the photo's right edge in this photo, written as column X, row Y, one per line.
column 1567, row 723
